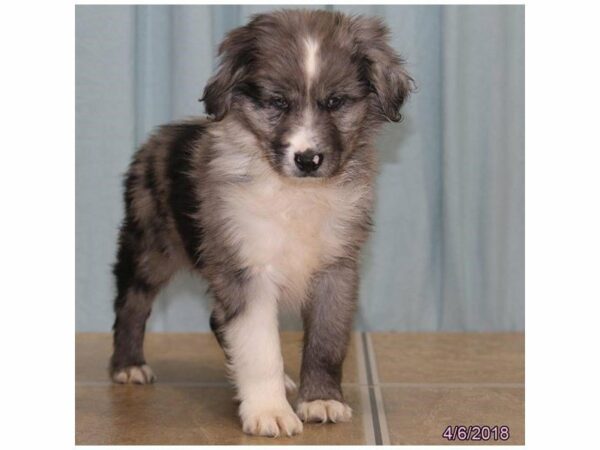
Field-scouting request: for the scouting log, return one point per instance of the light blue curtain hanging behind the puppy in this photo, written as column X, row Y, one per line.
column 448, row 248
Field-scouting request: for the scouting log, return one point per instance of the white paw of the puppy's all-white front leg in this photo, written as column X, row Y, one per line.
column 270, row 421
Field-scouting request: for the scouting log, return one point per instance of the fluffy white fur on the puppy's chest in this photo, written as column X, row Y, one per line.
column 289, row 230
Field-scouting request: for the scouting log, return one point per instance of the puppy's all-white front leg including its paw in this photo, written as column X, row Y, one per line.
column 252, row 343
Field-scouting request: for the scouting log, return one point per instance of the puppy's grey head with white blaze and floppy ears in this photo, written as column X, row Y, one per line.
column 312, row 86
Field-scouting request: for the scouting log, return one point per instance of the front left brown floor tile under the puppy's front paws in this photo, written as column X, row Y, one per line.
column 178, row 414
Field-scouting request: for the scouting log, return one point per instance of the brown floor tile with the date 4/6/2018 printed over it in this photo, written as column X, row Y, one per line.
column 418, row 415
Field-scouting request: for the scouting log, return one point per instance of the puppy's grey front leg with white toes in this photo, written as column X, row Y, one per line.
column 327, row 327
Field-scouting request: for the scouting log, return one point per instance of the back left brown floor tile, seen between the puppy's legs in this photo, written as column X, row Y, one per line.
column 186, row 357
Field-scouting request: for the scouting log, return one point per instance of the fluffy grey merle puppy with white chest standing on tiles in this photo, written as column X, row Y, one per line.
column 269, row 198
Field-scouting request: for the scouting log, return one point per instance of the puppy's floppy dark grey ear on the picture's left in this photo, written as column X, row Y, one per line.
column 236, row 54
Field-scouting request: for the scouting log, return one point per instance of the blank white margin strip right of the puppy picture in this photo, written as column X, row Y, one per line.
column 562, row 224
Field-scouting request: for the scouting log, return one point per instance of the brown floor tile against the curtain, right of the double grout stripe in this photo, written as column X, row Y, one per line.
column 449, row 357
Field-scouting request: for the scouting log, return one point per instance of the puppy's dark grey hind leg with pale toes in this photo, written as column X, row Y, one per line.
column 140, row 272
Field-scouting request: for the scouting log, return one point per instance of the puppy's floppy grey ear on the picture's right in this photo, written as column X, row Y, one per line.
column 382, row 67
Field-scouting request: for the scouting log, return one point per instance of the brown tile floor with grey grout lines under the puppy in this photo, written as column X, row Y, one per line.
column 404, row 388
